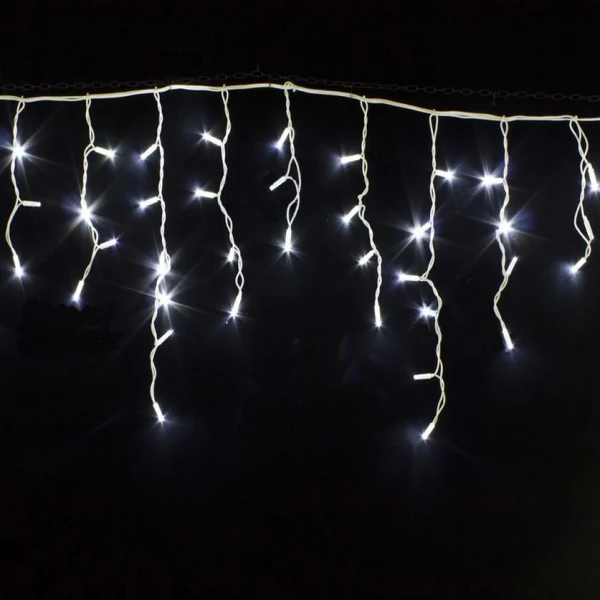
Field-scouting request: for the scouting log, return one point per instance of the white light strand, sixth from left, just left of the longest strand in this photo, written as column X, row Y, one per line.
column 359, row 210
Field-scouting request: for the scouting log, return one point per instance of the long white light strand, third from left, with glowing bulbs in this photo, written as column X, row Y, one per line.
column 161, row 295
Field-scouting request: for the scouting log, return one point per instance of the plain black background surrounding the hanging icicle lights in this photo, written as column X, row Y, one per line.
column 291, row 464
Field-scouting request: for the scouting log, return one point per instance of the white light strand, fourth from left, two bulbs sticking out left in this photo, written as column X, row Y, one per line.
column 234, row 251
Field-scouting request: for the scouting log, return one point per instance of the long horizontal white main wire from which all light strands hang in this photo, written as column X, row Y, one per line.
column 305, row 90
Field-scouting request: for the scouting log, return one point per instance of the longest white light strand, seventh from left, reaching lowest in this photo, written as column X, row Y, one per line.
column 425, row 278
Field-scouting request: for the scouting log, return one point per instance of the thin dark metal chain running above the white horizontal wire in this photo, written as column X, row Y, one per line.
column 257, row 74
